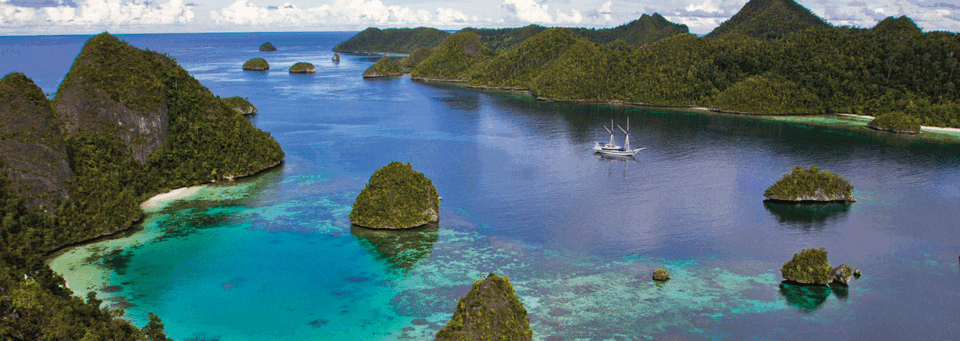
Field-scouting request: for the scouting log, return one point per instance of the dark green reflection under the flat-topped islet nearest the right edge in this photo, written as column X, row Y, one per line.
column 807, row 216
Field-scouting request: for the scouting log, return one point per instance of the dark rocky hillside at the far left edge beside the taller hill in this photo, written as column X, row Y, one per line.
column 32, row 148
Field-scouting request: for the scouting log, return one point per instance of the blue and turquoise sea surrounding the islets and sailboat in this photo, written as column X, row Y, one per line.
column 275, row 257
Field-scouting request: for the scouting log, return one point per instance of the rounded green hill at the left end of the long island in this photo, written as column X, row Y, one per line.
column 455, row 59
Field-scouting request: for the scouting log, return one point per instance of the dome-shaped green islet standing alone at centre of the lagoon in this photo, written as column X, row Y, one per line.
column 397, row 197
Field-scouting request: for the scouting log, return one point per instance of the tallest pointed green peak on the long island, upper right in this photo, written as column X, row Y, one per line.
column 769, row 19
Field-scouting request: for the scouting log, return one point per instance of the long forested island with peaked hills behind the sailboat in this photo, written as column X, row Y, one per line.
column 774, row 57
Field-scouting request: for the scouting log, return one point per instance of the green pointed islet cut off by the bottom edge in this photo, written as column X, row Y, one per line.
column 490, row 311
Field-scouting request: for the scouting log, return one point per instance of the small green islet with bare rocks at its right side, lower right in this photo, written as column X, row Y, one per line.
column 811, row 267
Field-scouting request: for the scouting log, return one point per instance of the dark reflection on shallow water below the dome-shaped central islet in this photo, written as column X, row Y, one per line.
column 402, row 249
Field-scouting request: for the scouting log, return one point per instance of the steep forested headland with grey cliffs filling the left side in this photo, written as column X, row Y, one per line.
column 128, row 124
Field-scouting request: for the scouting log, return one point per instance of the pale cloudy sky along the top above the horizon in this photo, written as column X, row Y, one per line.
column 44, row 17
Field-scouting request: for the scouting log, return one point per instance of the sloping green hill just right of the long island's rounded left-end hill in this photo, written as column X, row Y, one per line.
column 518, row 66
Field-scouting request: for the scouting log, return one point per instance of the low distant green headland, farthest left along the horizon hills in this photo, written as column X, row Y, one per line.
column 398, row 40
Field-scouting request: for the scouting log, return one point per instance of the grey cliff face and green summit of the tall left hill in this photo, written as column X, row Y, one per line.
column 110, row 91
